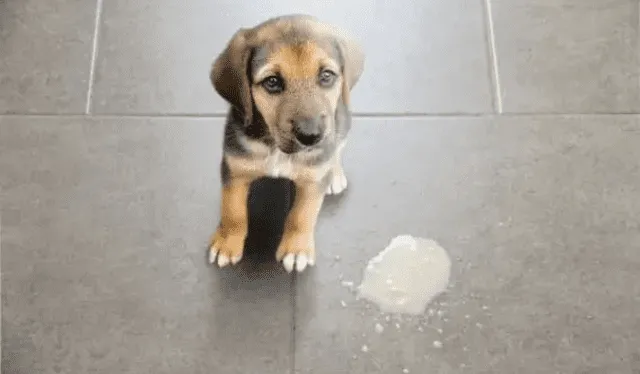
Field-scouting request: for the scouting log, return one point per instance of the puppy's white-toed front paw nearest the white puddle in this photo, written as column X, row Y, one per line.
column 296, row 250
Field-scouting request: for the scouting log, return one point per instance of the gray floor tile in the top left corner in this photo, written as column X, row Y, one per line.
column 45, row 55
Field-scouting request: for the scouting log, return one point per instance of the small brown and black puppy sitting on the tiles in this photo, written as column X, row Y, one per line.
column 288, row 82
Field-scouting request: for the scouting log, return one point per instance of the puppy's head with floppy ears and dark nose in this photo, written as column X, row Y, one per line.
column 293, row 71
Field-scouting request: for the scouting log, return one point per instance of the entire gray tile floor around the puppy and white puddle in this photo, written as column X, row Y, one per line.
column 507, row 130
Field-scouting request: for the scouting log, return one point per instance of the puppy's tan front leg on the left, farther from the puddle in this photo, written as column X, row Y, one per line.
column 227, row 243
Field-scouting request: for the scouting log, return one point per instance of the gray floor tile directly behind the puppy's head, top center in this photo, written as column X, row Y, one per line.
column 421, row 57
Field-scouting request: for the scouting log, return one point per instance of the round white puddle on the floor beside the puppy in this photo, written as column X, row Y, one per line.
column 406, row 275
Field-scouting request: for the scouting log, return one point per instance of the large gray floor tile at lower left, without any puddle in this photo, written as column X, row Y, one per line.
column 105, row 225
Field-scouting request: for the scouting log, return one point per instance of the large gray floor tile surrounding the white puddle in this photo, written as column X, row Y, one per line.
column 540, row 218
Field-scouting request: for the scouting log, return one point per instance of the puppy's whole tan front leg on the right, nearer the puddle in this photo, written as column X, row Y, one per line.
column 297, row 247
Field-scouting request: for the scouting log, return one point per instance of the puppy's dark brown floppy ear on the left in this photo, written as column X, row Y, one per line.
column 230, row 77
